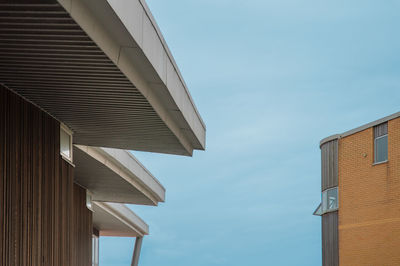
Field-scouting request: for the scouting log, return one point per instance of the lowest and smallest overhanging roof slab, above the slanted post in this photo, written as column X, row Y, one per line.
column 114, row 219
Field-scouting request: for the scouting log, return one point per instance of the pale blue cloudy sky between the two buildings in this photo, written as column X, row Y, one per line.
column 270, row 78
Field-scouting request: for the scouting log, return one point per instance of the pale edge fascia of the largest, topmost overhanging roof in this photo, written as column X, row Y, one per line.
column 127, row 33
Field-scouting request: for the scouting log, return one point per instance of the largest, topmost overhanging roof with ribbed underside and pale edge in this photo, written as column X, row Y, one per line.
column 101, row 68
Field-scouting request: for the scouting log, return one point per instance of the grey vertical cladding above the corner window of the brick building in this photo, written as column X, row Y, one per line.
column 329, row 164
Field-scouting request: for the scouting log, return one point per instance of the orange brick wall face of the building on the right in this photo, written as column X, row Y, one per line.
column 369, row 200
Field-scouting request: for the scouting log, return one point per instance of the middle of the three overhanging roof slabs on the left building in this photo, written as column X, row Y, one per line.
column 113, row 175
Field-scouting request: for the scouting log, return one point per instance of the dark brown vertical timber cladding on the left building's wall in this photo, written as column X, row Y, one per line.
column 43, row 215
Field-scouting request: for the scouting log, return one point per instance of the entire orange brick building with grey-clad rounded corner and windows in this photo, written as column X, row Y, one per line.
column 360, row 187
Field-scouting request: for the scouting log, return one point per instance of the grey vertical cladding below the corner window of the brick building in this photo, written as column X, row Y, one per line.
column 330, row 239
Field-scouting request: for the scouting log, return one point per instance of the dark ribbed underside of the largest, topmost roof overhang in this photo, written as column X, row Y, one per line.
column 46, row 57
